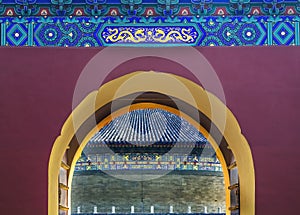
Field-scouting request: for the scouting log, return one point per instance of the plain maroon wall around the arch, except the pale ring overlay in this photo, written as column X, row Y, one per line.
column 262, row 88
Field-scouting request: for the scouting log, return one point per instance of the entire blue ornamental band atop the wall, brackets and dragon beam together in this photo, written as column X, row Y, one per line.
column 65, row 23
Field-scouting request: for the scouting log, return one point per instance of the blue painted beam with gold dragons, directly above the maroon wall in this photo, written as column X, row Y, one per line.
column 94, row 31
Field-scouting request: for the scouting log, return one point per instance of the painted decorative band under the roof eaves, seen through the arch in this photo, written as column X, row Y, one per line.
column 147, row 161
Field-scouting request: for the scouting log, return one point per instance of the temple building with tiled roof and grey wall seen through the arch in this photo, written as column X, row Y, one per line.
column 140, row 143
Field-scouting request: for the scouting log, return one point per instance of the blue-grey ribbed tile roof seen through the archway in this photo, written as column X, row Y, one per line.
column 148, row 126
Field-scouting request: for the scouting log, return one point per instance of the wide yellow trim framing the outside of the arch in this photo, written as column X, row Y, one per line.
column 165, row 84
